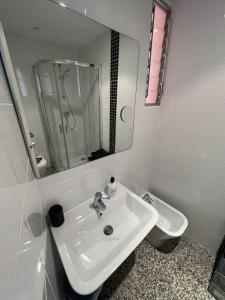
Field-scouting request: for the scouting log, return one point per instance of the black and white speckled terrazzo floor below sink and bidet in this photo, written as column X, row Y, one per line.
column 149, row 274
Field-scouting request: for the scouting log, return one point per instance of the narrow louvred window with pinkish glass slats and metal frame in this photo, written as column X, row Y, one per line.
column 157, row 52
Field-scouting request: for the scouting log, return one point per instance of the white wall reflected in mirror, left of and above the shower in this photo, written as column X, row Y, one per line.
column 24, row 53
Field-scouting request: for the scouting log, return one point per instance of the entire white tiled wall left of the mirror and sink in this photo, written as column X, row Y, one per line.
column 22, row 237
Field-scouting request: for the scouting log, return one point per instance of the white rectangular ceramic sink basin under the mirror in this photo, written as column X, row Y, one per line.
column 88, row 255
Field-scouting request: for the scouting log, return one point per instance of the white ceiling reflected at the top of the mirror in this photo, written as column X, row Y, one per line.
column 58, row 25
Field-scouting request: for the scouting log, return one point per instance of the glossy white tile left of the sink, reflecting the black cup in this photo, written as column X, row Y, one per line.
column 29, row 276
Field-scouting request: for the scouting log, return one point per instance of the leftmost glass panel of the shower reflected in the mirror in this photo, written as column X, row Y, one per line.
column 48, row 91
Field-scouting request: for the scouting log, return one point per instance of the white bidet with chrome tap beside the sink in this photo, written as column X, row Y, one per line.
column 171, row 225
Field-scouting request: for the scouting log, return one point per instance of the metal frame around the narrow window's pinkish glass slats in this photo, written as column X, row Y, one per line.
column 166, row 8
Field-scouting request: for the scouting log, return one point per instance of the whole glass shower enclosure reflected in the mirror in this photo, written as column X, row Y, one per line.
column 69, row 103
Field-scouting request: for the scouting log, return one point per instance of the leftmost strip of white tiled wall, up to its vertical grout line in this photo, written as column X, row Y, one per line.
column 11, row 191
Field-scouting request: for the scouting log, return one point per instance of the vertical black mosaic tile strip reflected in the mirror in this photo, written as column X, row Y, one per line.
column 114, row 64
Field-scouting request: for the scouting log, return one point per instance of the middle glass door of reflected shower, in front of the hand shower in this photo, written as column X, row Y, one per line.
column 72, row 113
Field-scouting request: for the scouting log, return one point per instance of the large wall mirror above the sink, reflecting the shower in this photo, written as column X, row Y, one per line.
column 77, row 80
